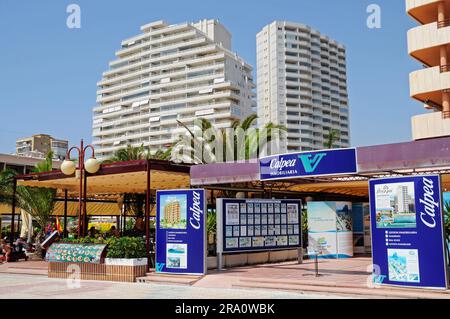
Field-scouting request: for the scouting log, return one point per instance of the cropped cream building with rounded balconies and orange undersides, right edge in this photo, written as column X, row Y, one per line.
column 429, row 43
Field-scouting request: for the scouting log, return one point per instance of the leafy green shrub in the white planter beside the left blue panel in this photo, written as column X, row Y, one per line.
column 126, row 247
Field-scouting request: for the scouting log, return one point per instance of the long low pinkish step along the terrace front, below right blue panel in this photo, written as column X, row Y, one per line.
column 344, row 291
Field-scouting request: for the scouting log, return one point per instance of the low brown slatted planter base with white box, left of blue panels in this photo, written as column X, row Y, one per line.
column 116, row 270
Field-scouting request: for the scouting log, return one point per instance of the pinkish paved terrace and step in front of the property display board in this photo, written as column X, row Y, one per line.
column 341, row 277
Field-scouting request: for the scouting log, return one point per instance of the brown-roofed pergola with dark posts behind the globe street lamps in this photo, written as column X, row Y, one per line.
column 106, row 187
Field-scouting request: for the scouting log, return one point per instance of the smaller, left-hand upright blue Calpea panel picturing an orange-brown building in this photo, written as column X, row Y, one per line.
column 181, row 231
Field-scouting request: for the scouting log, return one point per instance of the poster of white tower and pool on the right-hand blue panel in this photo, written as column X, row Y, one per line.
column 395, row 205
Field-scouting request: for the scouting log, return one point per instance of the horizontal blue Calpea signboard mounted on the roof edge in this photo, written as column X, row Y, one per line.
column 305, row 164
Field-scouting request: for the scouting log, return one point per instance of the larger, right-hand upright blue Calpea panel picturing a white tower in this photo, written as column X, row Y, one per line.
column 407, row 232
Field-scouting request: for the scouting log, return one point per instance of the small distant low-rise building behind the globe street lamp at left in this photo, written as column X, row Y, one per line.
column 39, row 145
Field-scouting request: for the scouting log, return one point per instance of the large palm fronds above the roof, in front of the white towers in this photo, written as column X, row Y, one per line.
column 205, row 143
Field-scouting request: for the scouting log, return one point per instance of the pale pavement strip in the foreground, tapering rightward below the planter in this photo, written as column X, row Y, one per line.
column 26, row 287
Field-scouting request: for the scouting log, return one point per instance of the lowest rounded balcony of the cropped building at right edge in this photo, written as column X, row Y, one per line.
column 430, row 125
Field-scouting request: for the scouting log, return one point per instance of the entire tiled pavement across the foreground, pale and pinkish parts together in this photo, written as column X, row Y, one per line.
column 345, row 277
